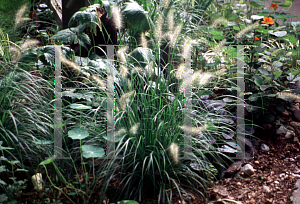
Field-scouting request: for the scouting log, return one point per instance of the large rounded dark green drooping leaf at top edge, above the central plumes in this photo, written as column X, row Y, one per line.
column 136, row 16
